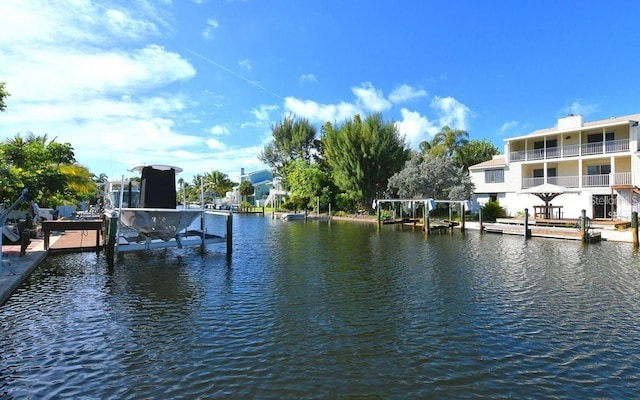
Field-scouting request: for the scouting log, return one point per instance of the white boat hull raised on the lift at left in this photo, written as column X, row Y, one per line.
column 158, row 222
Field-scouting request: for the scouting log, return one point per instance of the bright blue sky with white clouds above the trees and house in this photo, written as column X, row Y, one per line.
column 199, row 83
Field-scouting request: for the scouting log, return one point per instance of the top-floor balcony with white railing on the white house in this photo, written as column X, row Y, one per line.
column 568, row 151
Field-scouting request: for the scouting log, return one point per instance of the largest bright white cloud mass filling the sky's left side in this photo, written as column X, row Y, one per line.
column 77, row 73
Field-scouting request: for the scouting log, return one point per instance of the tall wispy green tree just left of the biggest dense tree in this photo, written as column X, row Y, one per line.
column 292, row 139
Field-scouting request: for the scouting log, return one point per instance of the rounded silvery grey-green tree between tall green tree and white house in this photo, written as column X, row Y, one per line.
column 431, row 177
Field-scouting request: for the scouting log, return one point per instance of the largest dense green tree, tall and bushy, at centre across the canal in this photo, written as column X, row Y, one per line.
column 363, row 155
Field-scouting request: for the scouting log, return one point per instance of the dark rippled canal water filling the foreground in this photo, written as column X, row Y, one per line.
column 330, row 310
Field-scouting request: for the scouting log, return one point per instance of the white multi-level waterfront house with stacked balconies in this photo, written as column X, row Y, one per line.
column 596, row 162
